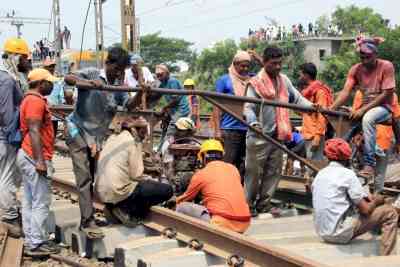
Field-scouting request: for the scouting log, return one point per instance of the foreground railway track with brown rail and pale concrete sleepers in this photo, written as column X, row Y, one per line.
column 170, row 239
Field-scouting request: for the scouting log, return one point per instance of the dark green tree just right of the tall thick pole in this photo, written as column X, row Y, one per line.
column 156, row 49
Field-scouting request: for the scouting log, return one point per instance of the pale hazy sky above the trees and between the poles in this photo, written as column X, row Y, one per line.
column 202, row 22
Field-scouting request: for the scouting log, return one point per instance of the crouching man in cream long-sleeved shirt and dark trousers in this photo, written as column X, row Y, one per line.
column 119, row 178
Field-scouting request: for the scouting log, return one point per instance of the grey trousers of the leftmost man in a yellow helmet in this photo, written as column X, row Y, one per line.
column 9, row 179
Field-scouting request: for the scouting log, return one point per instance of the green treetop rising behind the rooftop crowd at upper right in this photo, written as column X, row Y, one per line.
column 351, row 20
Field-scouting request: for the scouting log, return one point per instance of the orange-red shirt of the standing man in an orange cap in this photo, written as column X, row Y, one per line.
column 34, row 107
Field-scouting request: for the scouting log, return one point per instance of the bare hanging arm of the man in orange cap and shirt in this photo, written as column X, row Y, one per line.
column 34, row 126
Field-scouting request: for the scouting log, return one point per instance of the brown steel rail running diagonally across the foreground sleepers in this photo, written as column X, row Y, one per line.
column 214, row 240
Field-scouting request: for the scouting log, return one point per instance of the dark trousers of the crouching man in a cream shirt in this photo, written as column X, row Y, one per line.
column 146, row 194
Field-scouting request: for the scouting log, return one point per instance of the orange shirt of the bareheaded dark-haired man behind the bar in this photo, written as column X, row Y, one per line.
column 315, row 123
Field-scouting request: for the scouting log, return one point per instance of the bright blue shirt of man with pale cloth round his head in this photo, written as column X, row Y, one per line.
column 224, row 85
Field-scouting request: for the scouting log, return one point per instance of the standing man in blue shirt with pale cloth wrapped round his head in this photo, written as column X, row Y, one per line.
column 231, row 131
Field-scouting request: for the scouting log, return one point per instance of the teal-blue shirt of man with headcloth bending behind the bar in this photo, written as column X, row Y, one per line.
column 183, row 108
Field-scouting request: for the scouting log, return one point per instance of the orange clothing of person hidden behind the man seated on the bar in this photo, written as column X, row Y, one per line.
column 384, row 133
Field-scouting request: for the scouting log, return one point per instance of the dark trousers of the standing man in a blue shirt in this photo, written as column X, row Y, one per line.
column 235, row 148
